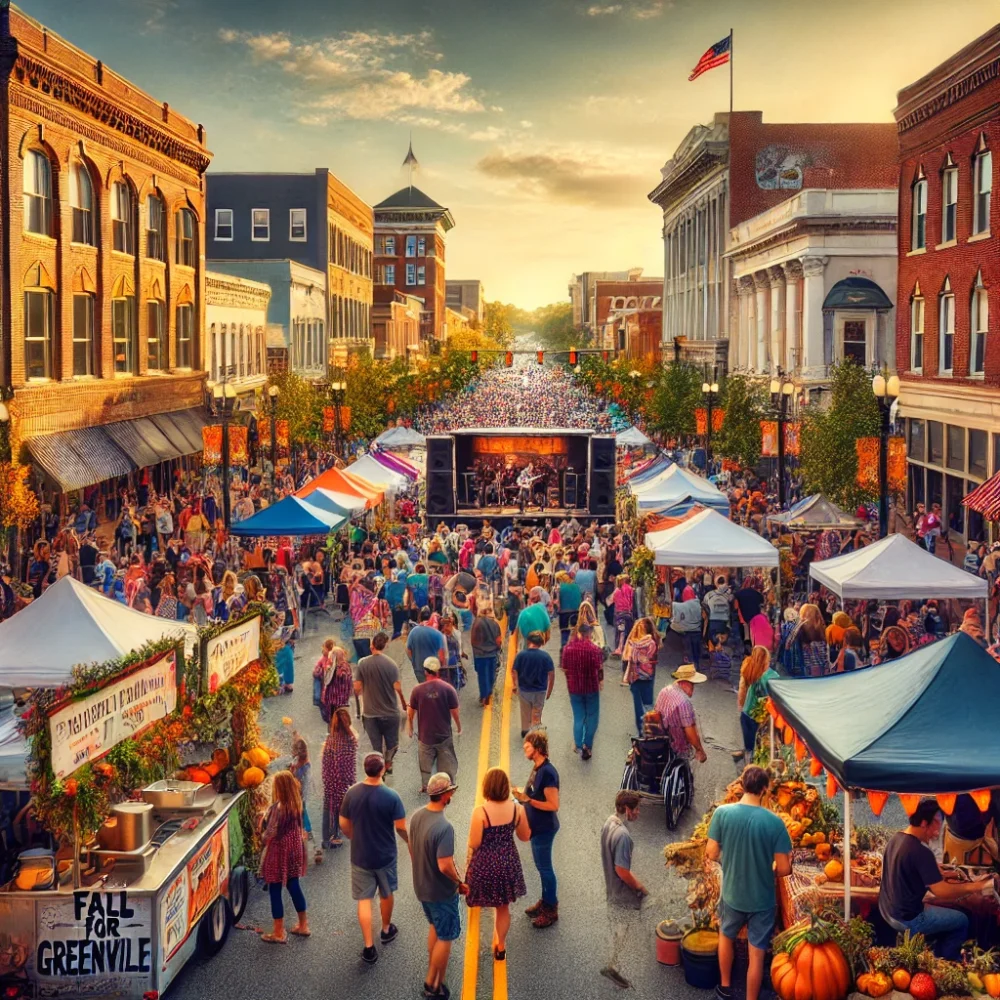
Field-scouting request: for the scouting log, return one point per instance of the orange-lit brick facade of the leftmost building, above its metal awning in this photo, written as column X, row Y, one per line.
column 66, row 106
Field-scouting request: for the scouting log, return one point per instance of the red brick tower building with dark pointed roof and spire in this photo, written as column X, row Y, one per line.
column 410, row 231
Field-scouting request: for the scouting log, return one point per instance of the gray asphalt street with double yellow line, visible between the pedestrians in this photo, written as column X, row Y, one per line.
column 563, row 961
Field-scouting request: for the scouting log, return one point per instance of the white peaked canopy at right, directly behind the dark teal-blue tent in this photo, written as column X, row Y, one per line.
column 893, row 569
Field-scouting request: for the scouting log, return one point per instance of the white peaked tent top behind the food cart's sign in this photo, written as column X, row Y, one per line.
column 72, row 623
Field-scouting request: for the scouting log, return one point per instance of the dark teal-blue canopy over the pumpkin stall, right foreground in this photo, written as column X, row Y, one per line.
column 922, row 724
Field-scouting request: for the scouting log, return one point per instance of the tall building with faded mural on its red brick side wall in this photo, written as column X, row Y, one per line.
column 725, row 174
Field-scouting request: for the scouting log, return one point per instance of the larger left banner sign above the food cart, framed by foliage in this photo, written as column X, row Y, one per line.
column 84, row 730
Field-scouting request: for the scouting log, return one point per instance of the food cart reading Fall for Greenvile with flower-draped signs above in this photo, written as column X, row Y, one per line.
column 145, row 867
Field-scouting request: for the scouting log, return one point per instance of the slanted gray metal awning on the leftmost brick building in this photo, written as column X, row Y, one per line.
column 79, row 458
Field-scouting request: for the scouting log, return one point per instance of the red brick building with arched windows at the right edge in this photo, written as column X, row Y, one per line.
column 949, row 278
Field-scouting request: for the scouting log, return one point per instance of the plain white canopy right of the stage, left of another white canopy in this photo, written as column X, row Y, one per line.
column 709, row 539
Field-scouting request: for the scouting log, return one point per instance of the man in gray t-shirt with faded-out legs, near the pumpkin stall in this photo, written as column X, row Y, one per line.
column 625, row 892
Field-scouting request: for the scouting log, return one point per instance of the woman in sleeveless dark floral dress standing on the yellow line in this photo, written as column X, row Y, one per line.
column 494, row 875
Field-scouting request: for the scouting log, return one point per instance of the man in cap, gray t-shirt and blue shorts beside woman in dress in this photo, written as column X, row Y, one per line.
column 436, row 881
